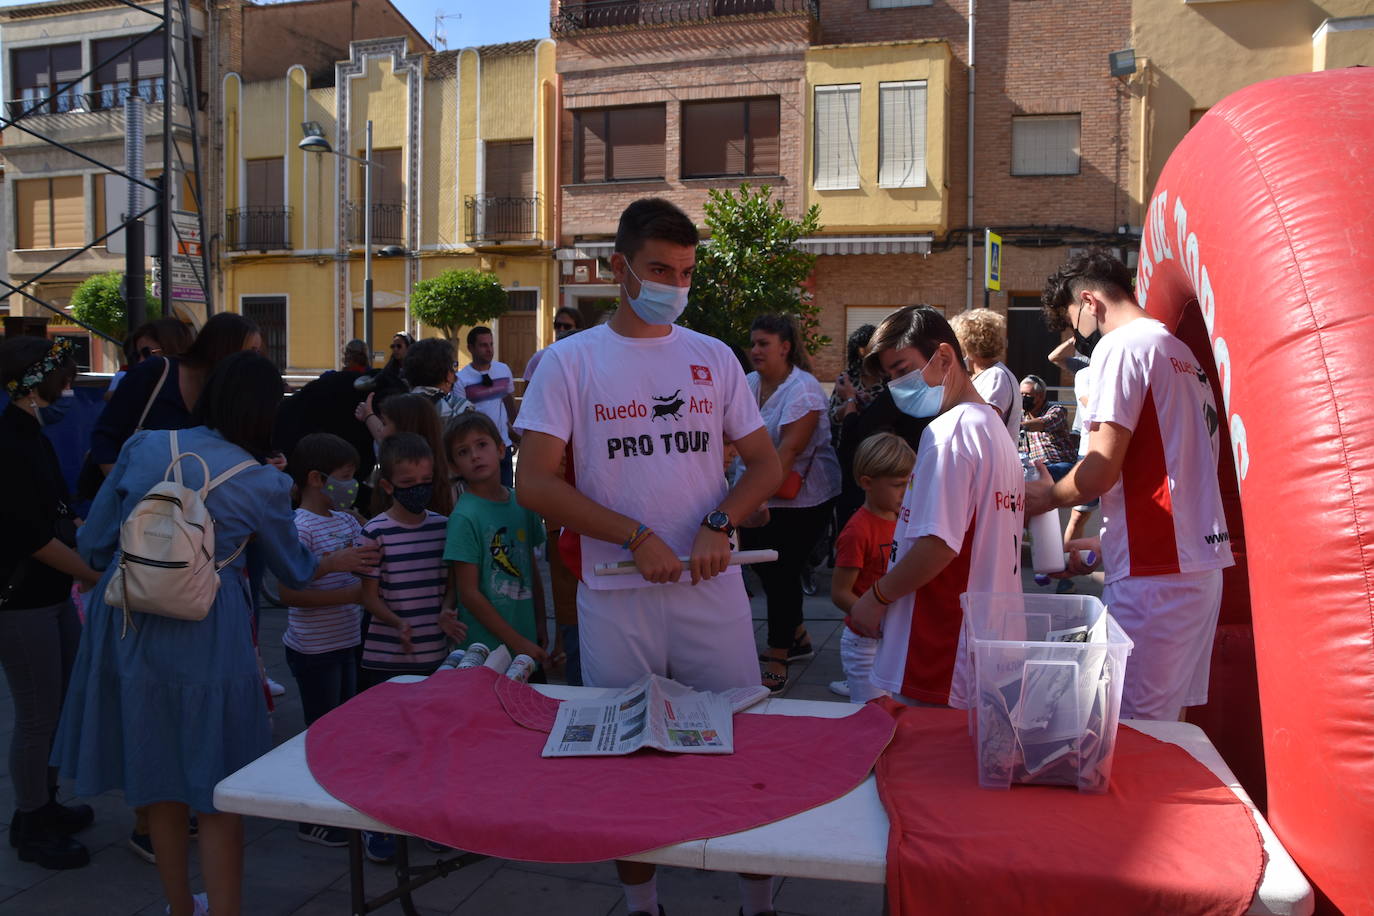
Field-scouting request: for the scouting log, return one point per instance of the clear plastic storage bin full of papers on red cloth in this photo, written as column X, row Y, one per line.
column 1048, row 674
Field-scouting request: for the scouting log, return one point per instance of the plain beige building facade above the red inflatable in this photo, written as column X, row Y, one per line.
column 1192, row 56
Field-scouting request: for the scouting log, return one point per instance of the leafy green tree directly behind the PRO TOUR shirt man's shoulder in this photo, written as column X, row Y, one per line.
column 752, row 267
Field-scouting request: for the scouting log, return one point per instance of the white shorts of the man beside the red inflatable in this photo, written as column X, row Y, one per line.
column 1173, row 623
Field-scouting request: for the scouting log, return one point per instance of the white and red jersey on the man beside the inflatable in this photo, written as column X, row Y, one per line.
column 1164, row 516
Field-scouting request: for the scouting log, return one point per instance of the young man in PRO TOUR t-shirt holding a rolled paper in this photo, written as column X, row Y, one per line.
column 642, row 410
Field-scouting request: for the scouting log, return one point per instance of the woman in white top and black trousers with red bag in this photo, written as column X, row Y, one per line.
column 793, row 410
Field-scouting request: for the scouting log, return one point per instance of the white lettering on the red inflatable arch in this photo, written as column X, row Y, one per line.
column 1155, row 251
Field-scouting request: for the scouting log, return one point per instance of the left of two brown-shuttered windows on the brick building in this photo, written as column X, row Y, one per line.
column 619, row 145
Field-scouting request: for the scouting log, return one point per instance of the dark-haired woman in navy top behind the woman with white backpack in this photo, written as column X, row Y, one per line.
column 161, row 392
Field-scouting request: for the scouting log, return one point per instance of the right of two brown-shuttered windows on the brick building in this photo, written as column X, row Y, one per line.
column 730, row 138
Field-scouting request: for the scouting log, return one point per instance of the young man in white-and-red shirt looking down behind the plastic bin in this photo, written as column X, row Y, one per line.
column 960, row 528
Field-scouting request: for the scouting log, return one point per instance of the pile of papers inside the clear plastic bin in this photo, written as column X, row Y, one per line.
column 1045, row 723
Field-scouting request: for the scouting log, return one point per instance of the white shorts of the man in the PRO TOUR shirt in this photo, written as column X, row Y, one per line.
column 699, row 635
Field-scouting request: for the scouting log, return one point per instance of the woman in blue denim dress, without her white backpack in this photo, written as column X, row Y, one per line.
column 167, row 709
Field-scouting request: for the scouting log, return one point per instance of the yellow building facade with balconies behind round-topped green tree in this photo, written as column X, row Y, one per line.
column 464, row 149
